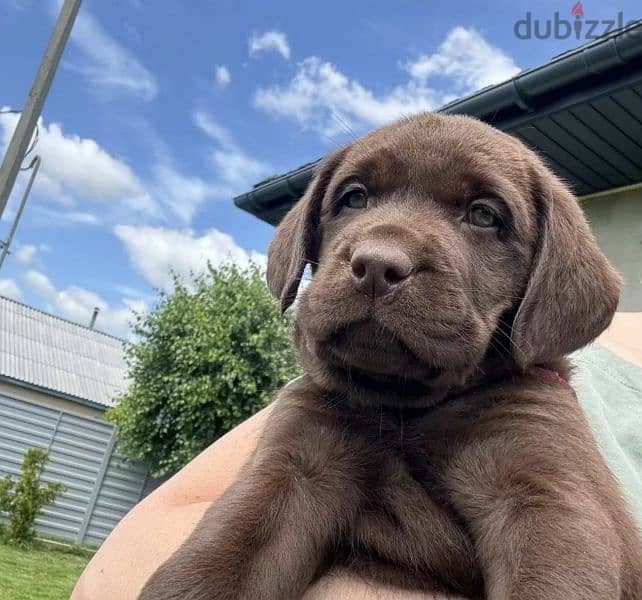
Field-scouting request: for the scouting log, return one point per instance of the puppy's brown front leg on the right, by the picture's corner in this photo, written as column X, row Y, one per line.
column 540, row 530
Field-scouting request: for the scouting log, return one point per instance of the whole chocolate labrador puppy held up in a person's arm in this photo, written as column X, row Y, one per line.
column 434, row 441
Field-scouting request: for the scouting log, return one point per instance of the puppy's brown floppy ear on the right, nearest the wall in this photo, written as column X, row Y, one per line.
column 573, row 291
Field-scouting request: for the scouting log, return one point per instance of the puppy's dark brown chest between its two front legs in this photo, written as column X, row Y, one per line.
column 408, row 518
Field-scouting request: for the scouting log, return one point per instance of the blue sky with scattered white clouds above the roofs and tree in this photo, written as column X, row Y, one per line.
column 162, row 111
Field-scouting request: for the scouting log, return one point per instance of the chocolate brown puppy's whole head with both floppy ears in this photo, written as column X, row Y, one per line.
column 439, row 246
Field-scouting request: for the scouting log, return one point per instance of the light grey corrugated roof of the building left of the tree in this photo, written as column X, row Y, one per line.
column 57, row 356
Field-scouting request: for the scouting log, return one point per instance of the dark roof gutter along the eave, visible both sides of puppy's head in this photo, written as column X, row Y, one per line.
column 520, row 95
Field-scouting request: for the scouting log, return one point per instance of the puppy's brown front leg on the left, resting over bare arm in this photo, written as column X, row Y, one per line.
column 267, row 537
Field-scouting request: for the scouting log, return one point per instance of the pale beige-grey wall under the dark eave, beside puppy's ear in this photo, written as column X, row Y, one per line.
column 616, row 220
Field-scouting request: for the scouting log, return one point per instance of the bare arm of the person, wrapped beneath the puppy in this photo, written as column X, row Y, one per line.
column 156, row 527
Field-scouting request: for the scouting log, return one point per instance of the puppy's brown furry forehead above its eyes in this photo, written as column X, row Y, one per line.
column 438, row 158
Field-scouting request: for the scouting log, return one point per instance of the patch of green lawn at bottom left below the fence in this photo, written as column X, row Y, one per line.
column 40, row 573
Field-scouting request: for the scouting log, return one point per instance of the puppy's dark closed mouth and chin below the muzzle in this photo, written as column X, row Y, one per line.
column 371, row 357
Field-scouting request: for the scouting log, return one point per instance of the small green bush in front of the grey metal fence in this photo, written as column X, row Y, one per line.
column 23, row 499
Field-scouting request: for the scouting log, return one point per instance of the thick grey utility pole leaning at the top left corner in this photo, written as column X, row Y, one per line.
column 36, row 99
